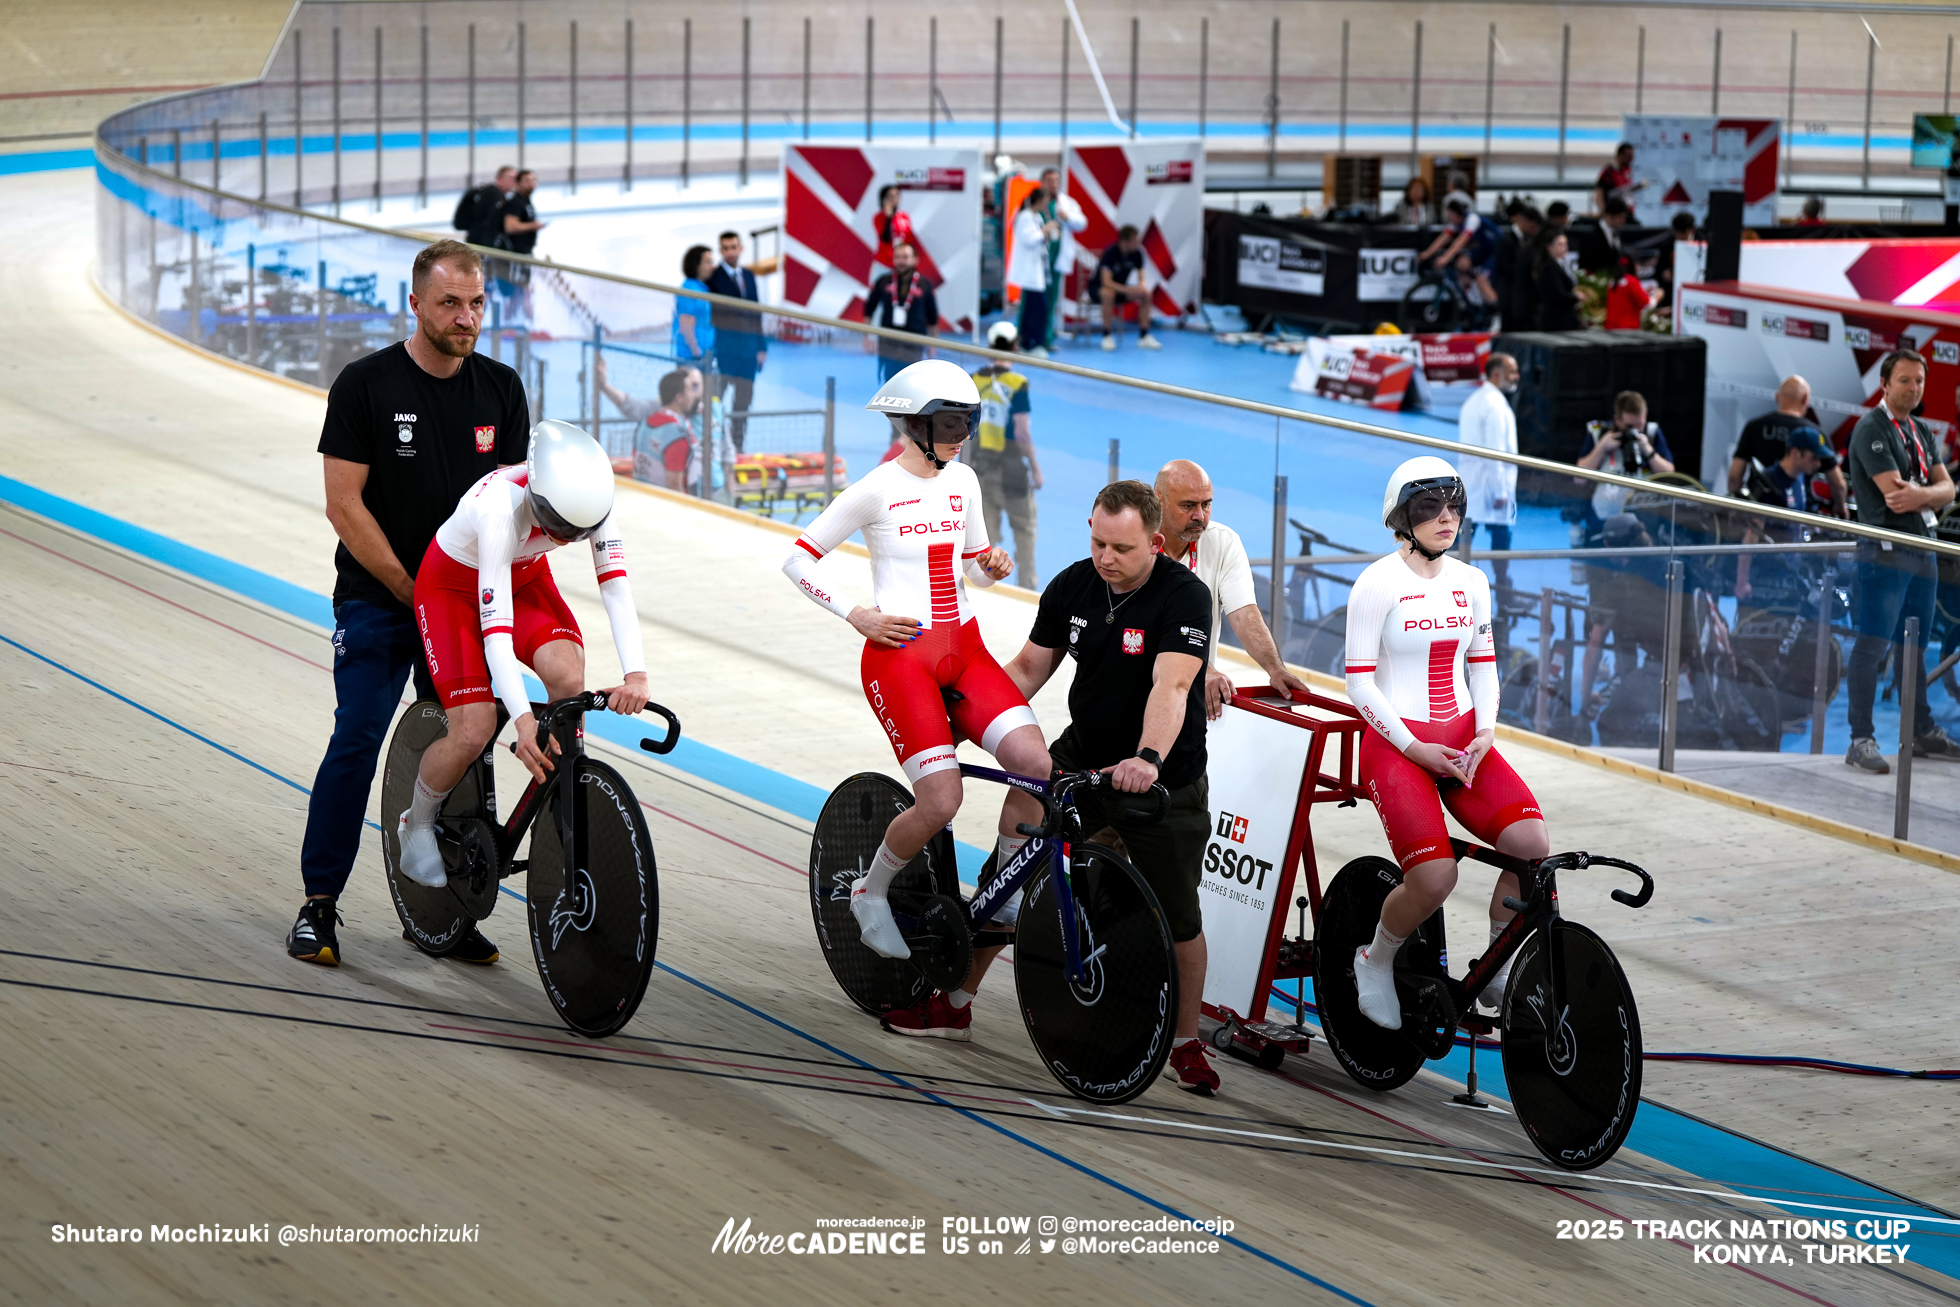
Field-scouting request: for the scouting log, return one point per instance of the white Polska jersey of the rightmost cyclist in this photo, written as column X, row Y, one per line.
column 1420, row 650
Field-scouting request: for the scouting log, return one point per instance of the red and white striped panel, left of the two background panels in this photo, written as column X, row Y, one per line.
column 830, row 238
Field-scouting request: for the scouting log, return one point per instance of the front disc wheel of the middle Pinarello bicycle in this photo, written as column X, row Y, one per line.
column 1108, row 1038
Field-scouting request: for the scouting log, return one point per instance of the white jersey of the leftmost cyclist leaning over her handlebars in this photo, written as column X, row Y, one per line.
column 493, row 530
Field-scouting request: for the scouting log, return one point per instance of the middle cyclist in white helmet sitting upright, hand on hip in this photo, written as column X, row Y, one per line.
column 920, row 516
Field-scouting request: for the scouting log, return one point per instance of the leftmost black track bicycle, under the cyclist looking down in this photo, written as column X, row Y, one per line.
column 591, row 881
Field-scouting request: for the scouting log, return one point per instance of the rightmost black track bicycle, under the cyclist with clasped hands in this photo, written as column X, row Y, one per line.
column 1571, row 1030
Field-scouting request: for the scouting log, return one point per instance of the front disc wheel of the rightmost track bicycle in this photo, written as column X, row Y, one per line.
column 1577, row 1075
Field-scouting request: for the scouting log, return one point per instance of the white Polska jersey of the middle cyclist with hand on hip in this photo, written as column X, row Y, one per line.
column 922, row 532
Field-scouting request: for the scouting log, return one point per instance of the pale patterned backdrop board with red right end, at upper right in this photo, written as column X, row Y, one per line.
column 1679, row 160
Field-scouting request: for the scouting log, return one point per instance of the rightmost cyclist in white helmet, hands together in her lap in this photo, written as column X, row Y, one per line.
column 1424, row 675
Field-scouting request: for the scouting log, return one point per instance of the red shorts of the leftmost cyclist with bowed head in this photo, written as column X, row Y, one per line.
column 452, row 622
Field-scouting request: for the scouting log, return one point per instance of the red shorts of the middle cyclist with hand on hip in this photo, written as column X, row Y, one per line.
column 905, row 689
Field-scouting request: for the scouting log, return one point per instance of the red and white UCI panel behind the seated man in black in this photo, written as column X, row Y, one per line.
column 1159, row 187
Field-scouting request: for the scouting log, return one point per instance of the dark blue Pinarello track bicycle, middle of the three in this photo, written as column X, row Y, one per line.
column 1095, row 967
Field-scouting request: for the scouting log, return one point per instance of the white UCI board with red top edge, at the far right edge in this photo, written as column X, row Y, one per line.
column 1759, row 336
